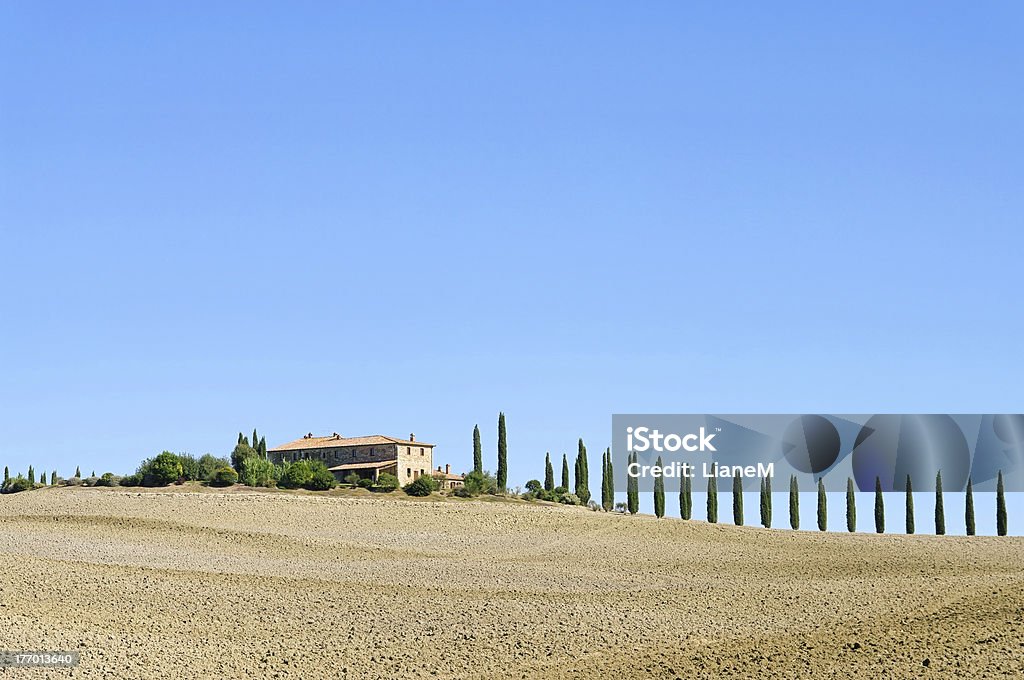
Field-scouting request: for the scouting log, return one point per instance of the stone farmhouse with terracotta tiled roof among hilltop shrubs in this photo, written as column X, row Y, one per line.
column 368, row 457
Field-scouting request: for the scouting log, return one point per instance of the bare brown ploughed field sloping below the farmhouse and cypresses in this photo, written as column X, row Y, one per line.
column 242, row 584
